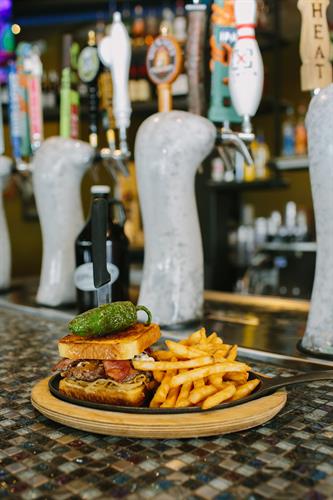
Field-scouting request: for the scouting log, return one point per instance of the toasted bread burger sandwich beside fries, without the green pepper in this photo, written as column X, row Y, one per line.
column 99, row 369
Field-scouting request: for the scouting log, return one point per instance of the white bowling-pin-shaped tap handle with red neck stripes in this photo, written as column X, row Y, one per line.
column 246, row 74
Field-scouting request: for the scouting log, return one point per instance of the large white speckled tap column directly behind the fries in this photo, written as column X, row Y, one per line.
column 168, row 150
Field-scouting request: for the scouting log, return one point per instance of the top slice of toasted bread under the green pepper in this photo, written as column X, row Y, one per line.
column 118, row 346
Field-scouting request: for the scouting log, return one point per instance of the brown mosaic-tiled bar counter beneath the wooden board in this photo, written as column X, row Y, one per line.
column 289, row 457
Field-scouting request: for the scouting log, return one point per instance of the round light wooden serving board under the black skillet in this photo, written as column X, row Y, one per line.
column 183, row 425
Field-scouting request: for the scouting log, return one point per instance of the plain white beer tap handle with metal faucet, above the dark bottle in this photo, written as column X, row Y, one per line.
column 115, row 53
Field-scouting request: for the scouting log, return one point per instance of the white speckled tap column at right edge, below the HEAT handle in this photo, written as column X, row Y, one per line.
column 319, row 121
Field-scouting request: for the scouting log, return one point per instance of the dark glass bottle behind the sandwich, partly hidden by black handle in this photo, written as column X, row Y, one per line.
column 116, row 253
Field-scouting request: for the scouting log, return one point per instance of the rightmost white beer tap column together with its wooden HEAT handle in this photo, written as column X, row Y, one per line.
column 316, row 73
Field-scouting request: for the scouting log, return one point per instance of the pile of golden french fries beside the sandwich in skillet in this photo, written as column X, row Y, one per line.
column 198, row 371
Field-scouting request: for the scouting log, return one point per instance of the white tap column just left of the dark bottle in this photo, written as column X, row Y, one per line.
column 58, row 167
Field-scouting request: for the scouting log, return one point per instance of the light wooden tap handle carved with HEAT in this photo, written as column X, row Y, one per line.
column 316, row 70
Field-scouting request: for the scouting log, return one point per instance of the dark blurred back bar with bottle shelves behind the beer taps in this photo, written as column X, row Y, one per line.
column 257, row 221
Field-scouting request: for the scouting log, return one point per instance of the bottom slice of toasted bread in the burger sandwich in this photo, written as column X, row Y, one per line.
column 104, row 391
